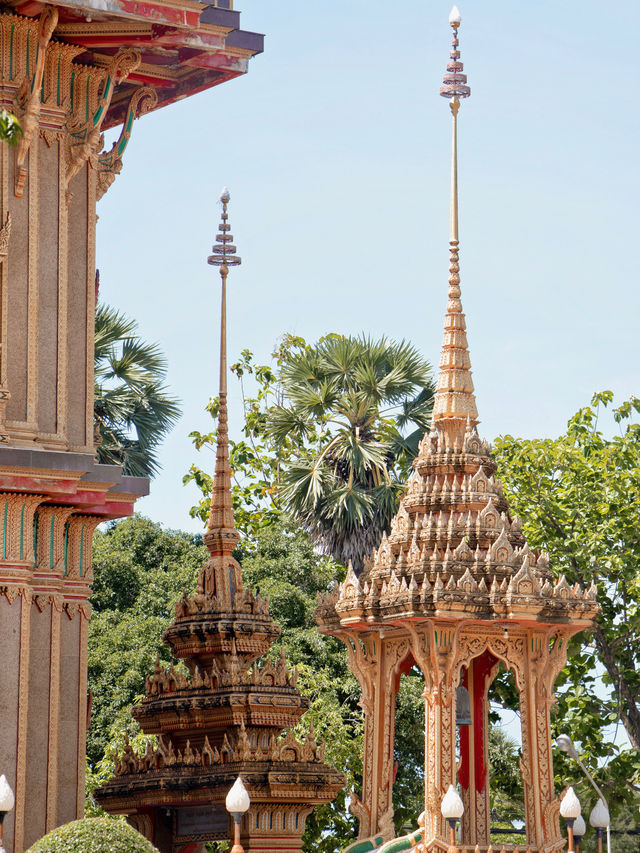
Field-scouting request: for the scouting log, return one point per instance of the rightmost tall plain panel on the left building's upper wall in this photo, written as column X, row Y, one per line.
column 77, row 312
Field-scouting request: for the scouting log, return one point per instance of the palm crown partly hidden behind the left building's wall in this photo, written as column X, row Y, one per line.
column 132, row 408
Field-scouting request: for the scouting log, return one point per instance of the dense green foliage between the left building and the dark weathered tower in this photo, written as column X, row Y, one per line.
column 140, row 572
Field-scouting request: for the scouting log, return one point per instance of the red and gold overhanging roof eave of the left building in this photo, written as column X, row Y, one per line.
column 186, row 46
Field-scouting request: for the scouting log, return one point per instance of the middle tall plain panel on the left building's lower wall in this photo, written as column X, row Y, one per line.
column 38, row 725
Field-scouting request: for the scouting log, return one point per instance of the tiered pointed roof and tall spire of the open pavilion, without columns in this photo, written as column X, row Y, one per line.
column 454, row 543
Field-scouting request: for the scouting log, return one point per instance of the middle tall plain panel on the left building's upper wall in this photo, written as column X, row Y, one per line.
column 48, row 290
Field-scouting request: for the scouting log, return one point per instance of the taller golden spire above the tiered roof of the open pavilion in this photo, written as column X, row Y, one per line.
column 454, row 404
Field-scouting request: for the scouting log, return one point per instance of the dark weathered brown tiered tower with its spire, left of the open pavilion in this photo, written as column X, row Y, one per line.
column 225, row 717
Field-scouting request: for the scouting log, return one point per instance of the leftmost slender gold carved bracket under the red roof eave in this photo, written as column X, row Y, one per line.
column 28, row 99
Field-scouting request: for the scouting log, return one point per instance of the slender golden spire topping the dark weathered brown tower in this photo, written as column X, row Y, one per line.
column 221, row 536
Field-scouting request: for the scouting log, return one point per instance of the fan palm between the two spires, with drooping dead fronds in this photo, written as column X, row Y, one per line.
column 347, row 404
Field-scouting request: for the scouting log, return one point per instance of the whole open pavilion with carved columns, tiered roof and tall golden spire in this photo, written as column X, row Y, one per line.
column 456, row 590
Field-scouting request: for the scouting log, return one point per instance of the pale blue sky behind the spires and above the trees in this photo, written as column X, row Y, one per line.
column 335, row 147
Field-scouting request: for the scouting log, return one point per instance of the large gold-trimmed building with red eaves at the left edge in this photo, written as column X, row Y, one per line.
column 68, row 71
